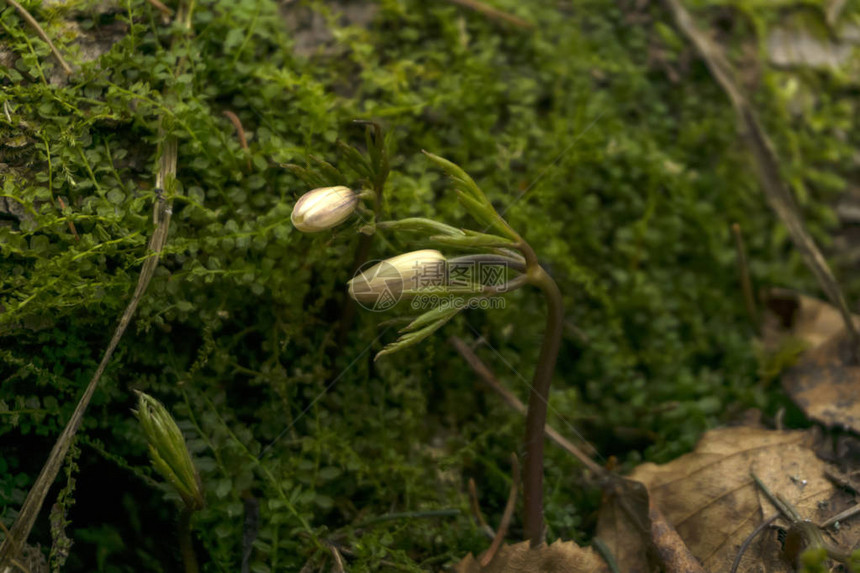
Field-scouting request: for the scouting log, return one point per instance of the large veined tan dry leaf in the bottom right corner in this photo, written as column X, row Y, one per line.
column 709, row 497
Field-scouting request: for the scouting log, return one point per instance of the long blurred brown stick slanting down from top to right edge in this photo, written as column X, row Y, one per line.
column 767, row 163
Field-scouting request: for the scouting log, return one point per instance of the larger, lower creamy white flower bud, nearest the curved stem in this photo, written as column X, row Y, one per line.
column 382, row 285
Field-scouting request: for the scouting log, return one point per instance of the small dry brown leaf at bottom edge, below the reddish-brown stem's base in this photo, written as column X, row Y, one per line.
column 558, row 557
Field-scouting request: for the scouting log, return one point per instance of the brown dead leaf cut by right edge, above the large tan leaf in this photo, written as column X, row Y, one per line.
column 825, row 384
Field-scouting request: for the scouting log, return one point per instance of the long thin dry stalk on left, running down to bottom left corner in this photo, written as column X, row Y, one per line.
column 20, row 530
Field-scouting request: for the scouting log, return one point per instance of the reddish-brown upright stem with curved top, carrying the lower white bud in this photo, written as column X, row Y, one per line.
column 539, row 397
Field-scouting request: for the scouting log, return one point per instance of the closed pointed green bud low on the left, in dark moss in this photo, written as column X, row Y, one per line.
column 170, row 455
